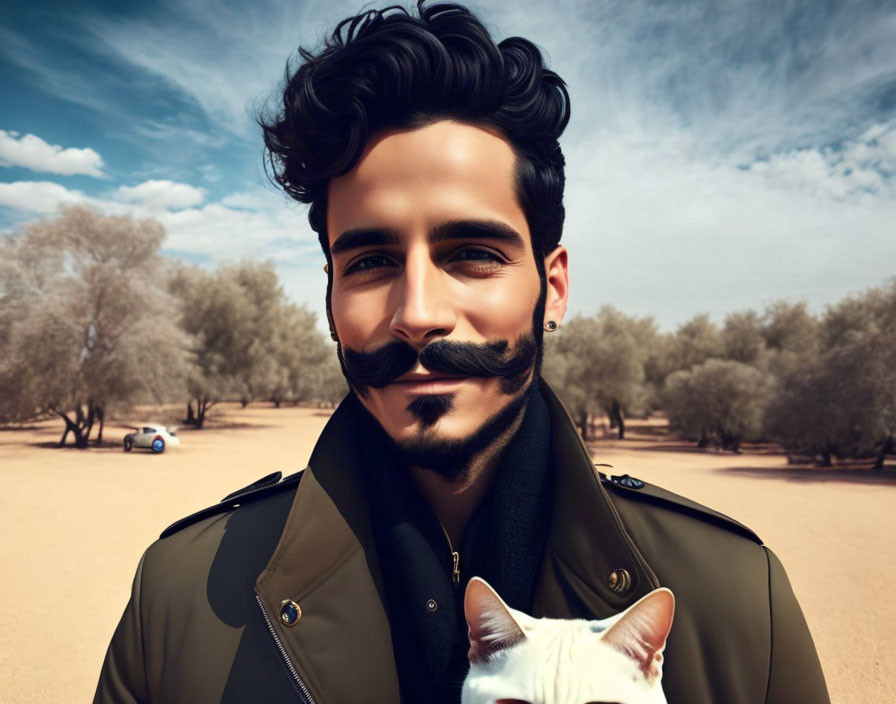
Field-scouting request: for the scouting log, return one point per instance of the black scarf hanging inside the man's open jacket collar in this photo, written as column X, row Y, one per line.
column 503, row 544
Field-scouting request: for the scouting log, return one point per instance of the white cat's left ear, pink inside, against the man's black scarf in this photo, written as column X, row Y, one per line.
column 491, row 623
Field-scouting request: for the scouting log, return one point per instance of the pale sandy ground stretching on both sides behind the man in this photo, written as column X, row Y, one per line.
column 74, row 525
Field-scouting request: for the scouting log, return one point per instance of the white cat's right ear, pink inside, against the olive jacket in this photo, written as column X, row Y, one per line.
column 642, row 630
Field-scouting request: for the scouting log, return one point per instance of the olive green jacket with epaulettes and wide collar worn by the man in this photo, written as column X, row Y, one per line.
column 203, row 622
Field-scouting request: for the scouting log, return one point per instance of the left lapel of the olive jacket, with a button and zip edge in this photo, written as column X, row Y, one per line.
column 326, row 562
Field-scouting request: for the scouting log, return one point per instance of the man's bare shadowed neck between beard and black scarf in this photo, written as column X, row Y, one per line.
column 454, row 502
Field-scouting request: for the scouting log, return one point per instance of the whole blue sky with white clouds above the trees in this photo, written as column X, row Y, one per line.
column 721, row 155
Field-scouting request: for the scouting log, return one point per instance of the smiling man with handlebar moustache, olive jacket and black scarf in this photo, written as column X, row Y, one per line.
column 430, row 158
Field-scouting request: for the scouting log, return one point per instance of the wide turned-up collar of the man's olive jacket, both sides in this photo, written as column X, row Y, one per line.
column 326, row 562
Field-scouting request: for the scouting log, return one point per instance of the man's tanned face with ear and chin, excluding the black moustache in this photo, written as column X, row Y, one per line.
column 429, row 243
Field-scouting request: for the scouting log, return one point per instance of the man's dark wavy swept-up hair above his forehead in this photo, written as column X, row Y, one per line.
column 391, row 69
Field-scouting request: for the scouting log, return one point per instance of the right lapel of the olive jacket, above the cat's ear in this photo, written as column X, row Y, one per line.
column 587, row 543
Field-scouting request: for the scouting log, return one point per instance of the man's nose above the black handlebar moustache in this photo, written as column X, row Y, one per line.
column 424, row 310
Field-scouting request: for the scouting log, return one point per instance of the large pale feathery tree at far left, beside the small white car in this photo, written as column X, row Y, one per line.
column 84, row 320
